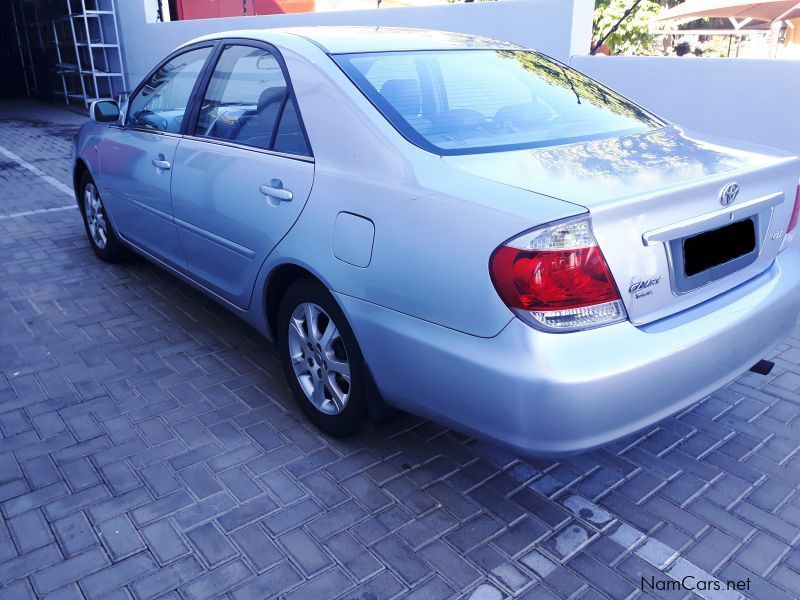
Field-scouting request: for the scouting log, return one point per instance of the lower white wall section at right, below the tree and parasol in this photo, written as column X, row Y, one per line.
column 749, row 99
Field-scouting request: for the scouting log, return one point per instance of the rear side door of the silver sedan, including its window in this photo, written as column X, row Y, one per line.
column 242, row 176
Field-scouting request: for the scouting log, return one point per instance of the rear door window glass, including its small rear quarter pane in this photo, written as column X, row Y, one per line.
column 248, row 102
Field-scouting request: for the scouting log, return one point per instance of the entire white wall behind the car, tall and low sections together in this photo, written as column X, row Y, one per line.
column 749, row 99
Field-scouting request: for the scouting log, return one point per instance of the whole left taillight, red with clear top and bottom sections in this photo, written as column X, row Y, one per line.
column 556, row 278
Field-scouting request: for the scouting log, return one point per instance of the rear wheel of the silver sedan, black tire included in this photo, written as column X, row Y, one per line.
column 315, row 359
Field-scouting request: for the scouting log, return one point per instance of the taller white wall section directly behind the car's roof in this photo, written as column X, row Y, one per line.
column 560, row 28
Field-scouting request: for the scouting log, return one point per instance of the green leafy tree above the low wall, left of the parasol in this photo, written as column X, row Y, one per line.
column 634, row 34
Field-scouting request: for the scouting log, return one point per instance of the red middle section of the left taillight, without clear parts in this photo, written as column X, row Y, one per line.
column 552, row 279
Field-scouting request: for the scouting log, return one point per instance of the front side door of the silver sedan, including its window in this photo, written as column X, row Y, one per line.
column 136, row 156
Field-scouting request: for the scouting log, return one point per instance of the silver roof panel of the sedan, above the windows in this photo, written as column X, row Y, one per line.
column 343, row 40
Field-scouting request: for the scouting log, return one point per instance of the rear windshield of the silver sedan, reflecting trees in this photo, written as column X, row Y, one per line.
column 473, row 101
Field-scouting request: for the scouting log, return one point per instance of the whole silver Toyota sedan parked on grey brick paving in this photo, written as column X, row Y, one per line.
column 453, row 226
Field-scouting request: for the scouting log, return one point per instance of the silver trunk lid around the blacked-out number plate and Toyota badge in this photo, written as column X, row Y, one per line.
column 646, row 194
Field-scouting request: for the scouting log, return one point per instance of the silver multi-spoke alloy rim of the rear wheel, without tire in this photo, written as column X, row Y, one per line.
column 319, row 358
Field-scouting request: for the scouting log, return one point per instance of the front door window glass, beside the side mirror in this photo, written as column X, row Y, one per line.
column 161, row 103
